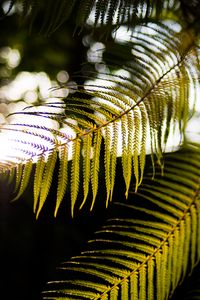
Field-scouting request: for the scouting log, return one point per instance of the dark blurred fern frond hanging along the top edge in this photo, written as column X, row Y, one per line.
column 105, row 13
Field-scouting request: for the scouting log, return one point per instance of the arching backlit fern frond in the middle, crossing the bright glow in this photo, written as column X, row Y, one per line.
column 148, row 98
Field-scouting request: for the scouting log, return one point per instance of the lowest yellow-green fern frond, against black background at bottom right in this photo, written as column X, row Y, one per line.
column 148, row 246
